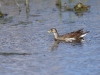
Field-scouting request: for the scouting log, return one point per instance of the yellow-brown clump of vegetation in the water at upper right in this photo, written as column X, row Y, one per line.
column 79, row 7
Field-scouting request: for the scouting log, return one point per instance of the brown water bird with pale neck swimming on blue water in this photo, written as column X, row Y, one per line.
column 68, row 37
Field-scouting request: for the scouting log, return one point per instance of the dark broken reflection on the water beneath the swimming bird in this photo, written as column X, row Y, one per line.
column 74, row 43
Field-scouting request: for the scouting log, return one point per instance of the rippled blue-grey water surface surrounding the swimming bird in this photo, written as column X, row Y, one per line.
column 27, row 49
